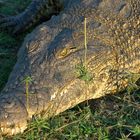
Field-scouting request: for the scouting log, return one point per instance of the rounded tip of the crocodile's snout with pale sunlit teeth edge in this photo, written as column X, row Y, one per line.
column 13, row 115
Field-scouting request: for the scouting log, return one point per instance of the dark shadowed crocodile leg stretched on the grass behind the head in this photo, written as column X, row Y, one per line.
column 37, row 10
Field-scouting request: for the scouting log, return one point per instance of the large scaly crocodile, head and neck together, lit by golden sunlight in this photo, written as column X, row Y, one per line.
column 101, row 36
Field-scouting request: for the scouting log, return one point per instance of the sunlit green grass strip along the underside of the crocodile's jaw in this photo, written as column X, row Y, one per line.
column 113, row 117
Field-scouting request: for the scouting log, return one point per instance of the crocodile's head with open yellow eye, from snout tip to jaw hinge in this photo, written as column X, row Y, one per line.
column 59, row 77
